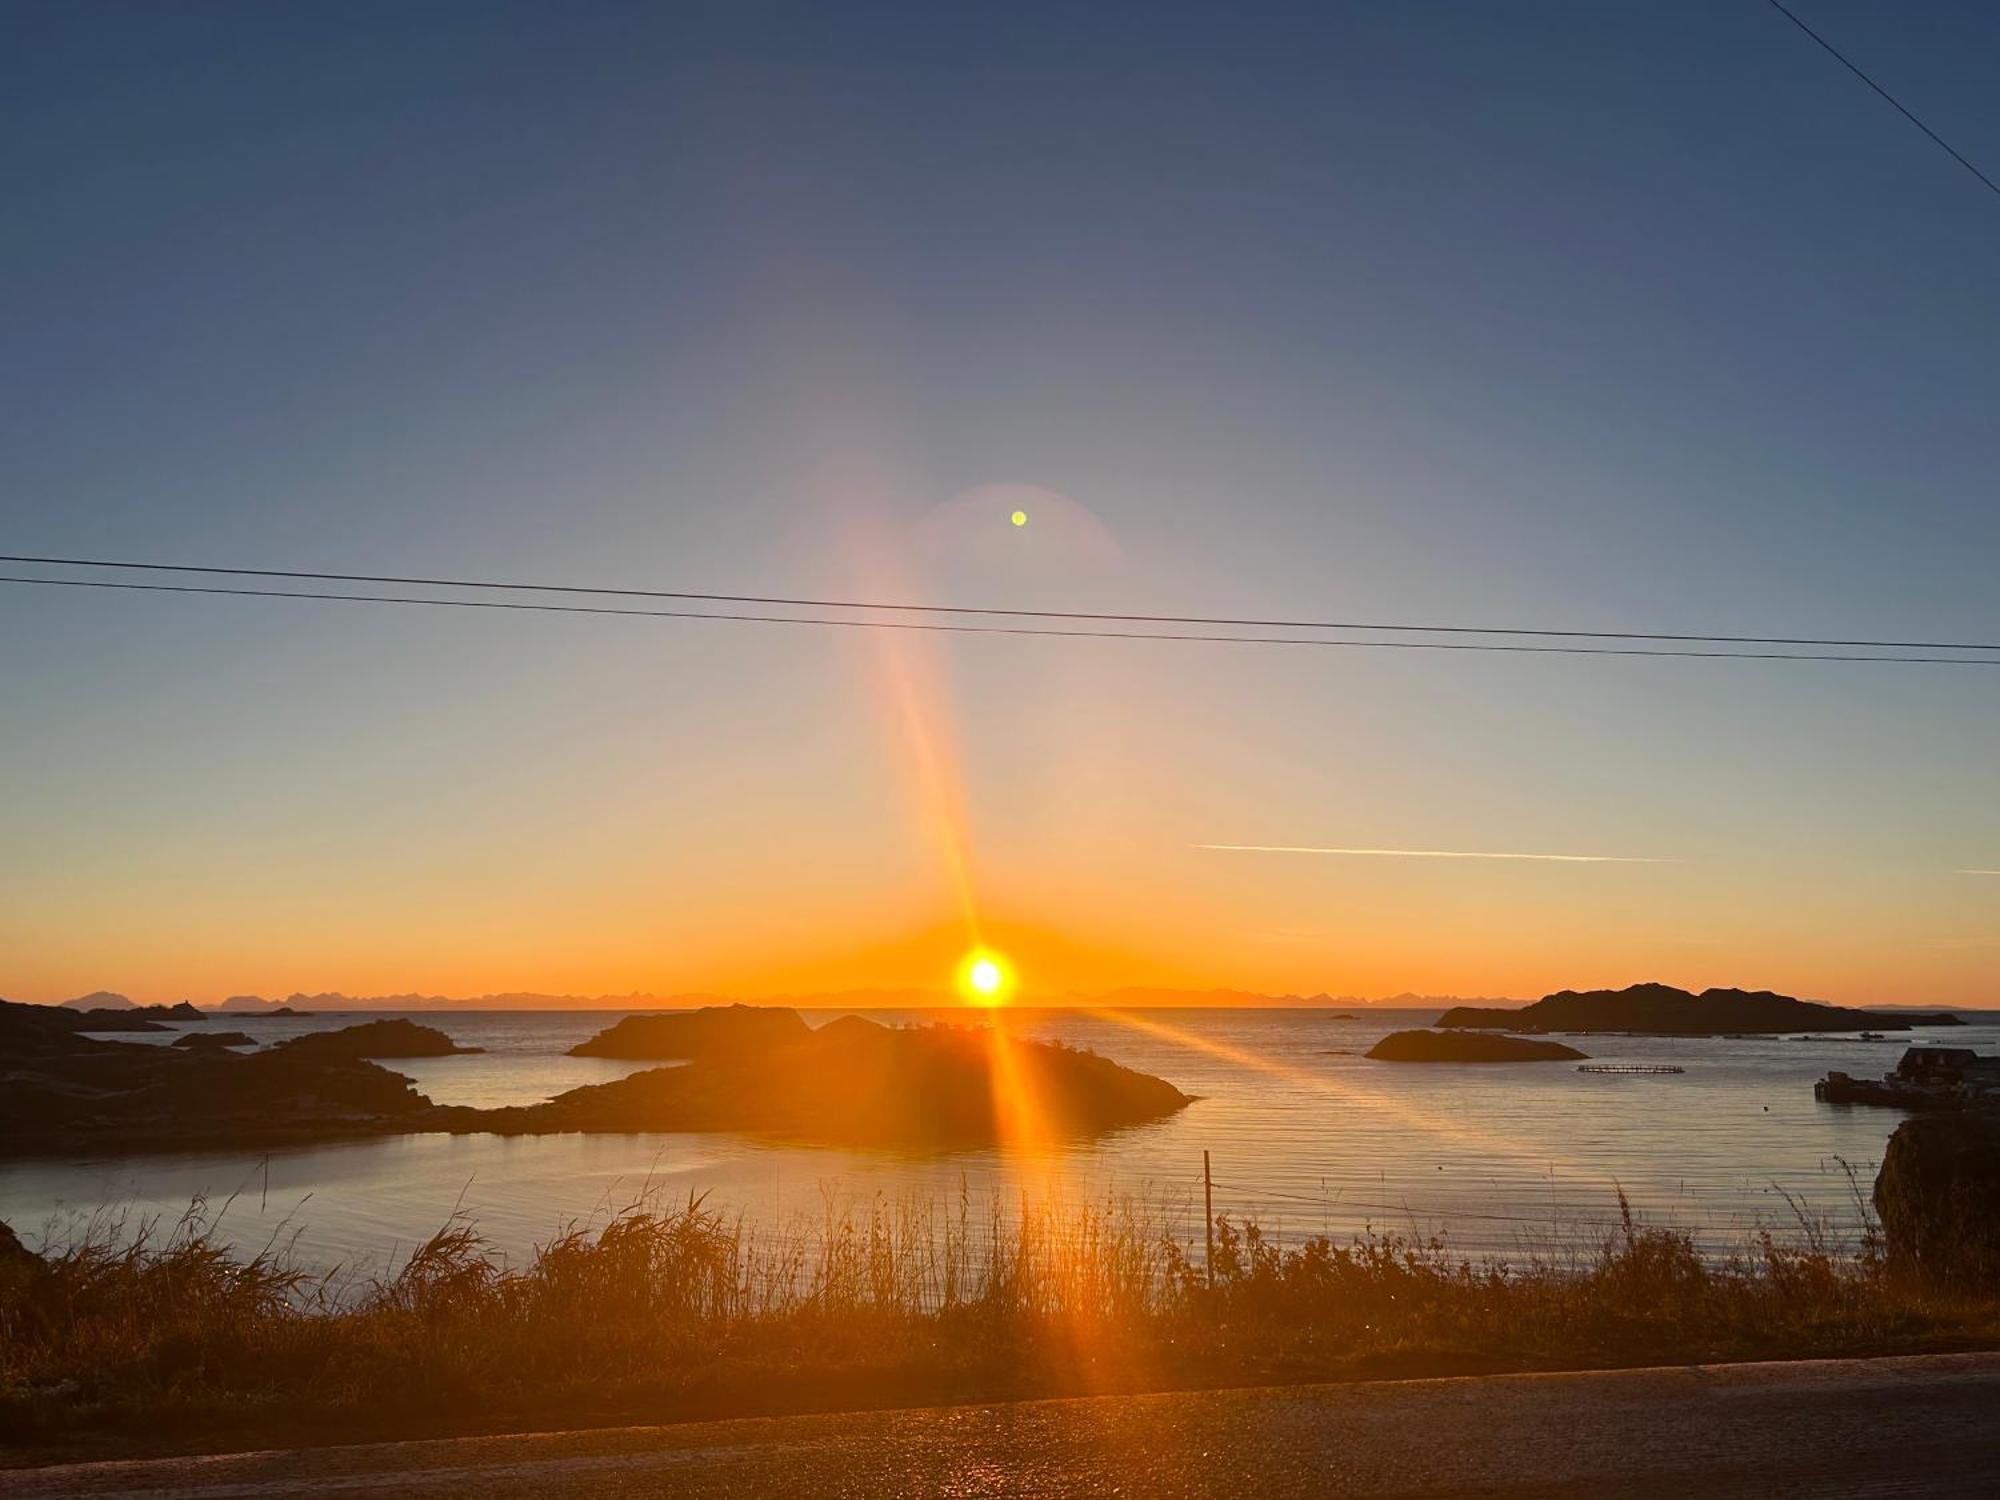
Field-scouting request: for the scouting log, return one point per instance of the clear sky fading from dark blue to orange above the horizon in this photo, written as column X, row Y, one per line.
column 1541, row 315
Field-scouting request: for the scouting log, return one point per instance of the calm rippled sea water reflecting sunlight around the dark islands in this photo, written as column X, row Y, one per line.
column 1303, row 1131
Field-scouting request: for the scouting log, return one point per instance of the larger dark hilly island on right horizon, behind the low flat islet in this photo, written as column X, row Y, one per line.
column 1667, row 1011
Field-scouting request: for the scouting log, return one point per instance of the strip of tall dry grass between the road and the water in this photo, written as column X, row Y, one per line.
column 165, row 1341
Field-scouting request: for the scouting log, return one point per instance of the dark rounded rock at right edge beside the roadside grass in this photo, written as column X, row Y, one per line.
column 1939, row 1197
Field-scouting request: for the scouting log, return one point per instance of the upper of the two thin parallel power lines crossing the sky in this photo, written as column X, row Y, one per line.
column 1097, row 617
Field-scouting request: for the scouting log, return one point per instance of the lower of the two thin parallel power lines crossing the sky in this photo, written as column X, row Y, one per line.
column 959, row 629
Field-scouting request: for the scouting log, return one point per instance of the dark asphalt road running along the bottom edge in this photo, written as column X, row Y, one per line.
column 1915, row 1427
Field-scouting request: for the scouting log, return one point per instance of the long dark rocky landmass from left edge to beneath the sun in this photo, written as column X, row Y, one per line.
column 765, row 1071
